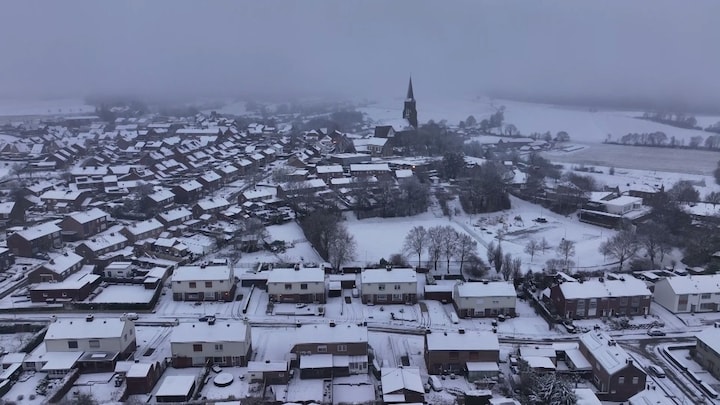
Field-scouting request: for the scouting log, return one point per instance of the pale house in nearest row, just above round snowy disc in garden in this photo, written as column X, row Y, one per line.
column 197, row 344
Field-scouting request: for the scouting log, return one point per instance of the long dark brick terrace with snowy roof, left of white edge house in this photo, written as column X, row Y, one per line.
column 600, row 298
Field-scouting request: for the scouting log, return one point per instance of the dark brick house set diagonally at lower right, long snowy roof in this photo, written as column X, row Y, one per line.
column 614, row 372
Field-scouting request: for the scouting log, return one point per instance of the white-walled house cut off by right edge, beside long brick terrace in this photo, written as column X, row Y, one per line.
column 689, row 294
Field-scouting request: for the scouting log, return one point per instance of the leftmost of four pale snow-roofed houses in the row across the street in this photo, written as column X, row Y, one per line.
column 197, row 283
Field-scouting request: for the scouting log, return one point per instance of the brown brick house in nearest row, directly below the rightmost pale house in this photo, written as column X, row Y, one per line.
column 453, row 351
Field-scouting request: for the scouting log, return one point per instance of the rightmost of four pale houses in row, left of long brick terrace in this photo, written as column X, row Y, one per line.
column 484, row 299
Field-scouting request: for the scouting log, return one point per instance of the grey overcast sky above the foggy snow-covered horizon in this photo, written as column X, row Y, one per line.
column 654, row 51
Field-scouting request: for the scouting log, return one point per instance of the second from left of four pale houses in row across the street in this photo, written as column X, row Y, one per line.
column 298, row 284
